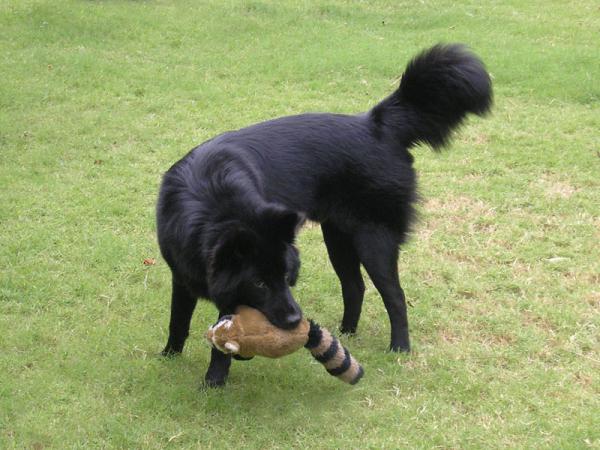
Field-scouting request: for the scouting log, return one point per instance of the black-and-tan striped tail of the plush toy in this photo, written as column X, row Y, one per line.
column 336, row 358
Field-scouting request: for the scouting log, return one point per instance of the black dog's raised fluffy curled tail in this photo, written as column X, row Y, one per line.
column 438, row 89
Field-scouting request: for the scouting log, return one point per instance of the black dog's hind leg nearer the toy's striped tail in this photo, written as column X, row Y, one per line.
column 346, row 264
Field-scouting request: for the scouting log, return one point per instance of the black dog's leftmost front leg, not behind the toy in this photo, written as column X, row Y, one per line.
column 182, row 308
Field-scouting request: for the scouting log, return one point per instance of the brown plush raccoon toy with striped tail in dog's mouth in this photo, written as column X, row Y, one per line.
column 249, row 333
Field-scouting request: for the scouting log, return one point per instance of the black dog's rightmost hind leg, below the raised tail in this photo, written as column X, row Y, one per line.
column 378, row 252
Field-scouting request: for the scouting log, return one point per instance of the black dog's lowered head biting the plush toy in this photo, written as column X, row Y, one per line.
column 254, row 262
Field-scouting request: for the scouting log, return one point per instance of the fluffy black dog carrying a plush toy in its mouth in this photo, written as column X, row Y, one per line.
column 228, row 211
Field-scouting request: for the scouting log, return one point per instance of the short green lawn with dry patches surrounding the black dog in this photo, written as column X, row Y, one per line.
column 99, row 98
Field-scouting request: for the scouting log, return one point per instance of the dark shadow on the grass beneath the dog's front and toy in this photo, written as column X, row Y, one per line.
column 262, row 391
